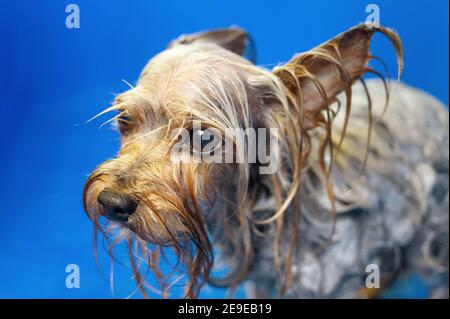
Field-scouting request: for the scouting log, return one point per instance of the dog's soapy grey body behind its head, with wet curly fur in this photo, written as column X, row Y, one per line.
column 392, row 215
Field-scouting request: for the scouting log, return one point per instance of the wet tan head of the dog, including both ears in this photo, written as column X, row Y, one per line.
column 205, row 132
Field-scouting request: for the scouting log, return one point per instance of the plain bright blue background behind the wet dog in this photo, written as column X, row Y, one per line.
column 53, row 79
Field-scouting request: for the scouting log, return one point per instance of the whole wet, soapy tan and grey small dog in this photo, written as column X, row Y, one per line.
column 361, row 175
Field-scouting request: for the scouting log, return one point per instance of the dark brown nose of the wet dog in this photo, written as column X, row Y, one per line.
column 117, row 206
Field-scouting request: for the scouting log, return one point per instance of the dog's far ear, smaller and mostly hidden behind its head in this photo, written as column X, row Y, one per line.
column 234, row 39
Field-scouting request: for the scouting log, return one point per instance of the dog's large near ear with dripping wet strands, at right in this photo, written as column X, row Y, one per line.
column 314, row 78
